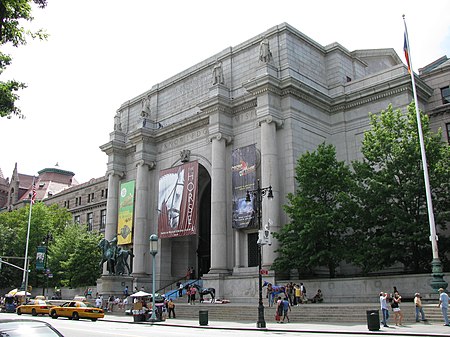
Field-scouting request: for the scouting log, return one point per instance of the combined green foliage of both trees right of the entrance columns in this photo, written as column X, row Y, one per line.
column 375, row 214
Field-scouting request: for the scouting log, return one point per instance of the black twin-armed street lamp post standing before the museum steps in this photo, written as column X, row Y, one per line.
column 258, row 195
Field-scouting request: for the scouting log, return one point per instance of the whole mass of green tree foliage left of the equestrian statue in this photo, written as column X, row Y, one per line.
column 73, row 255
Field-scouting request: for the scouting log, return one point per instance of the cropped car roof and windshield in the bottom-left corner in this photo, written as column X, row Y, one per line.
column 27, row 327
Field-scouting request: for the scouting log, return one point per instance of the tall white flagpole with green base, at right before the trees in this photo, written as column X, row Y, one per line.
column 436, row 265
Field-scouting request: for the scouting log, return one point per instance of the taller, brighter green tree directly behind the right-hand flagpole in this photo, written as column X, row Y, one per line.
column 392, row 224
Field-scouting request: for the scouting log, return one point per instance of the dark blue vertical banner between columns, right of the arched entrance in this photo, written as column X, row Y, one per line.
column 243, row 179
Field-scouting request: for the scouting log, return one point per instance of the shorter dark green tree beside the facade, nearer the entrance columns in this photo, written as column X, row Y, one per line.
column 316, row 233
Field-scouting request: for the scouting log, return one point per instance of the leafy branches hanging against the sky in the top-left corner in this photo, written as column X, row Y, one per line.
column 11, row 14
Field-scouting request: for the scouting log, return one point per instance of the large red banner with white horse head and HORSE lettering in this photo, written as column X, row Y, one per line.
column 177, row 201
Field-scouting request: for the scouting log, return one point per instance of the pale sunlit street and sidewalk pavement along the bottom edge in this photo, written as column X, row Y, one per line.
column 121, row 326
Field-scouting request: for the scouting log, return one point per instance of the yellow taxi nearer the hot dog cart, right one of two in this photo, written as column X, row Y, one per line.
column 76, row 310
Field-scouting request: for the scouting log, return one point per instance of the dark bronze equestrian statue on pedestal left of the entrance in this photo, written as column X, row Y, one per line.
column 116, row 258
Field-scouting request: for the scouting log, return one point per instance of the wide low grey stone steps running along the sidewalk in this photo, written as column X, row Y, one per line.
column 345, row 313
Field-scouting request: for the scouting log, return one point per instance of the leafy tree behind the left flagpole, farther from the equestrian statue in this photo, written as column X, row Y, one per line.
column 14, row 226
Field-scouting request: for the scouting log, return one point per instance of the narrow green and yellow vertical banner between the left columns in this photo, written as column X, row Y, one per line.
column 126, row 213
